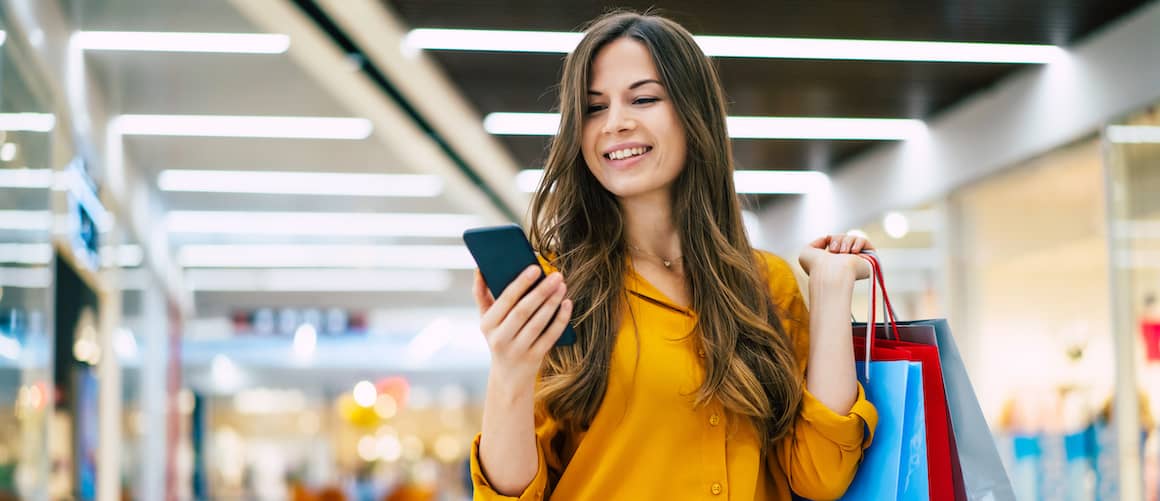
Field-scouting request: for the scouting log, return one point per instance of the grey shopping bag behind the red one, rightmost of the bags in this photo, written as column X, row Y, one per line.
column 980, row 474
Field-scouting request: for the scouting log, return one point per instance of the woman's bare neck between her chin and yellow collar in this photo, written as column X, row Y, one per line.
column 649, row 227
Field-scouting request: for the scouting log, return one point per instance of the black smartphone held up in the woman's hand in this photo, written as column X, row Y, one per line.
column 503, row 253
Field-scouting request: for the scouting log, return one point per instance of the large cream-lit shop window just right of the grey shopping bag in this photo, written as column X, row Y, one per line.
column 1031, row 263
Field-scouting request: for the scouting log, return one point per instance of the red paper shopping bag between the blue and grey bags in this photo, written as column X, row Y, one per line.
column 891, row 346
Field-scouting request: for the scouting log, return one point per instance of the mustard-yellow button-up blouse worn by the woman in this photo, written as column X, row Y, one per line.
column 649, row 441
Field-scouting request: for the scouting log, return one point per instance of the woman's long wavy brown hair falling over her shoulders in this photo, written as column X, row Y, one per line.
column 750, row 364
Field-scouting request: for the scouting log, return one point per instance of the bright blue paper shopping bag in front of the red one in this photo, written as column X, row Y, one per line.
column 895, row 467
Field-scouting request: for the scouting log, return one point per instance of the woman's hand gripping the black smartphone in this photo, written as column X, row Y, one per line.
column 521, row 329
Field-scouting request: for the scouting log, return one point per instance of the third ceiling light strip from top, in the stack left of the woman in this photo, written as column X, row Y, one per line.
column 301, row 184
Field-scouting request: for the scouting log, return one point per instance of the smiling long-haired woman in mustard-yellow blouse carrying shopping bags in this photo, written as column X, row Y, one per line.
column 698, row 372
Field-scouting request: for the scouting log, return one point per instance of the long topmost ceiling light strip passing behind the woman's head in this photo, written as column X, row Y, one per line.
column 562, row 42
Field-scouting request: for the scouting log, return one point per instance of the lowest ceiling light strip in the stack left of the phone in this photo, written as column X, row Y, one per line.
column 317, row 281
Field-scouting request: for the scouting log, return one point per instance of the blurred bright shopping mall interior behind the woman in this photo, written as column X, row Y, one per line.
column 230, row 256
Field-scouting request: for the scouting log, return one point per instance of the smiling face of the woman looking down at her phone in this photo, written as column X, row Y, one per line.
column 633, row 142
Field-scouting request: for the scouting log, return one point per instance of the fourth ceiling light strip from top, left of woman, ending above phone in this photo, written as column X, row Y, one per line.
column 321, row 224
